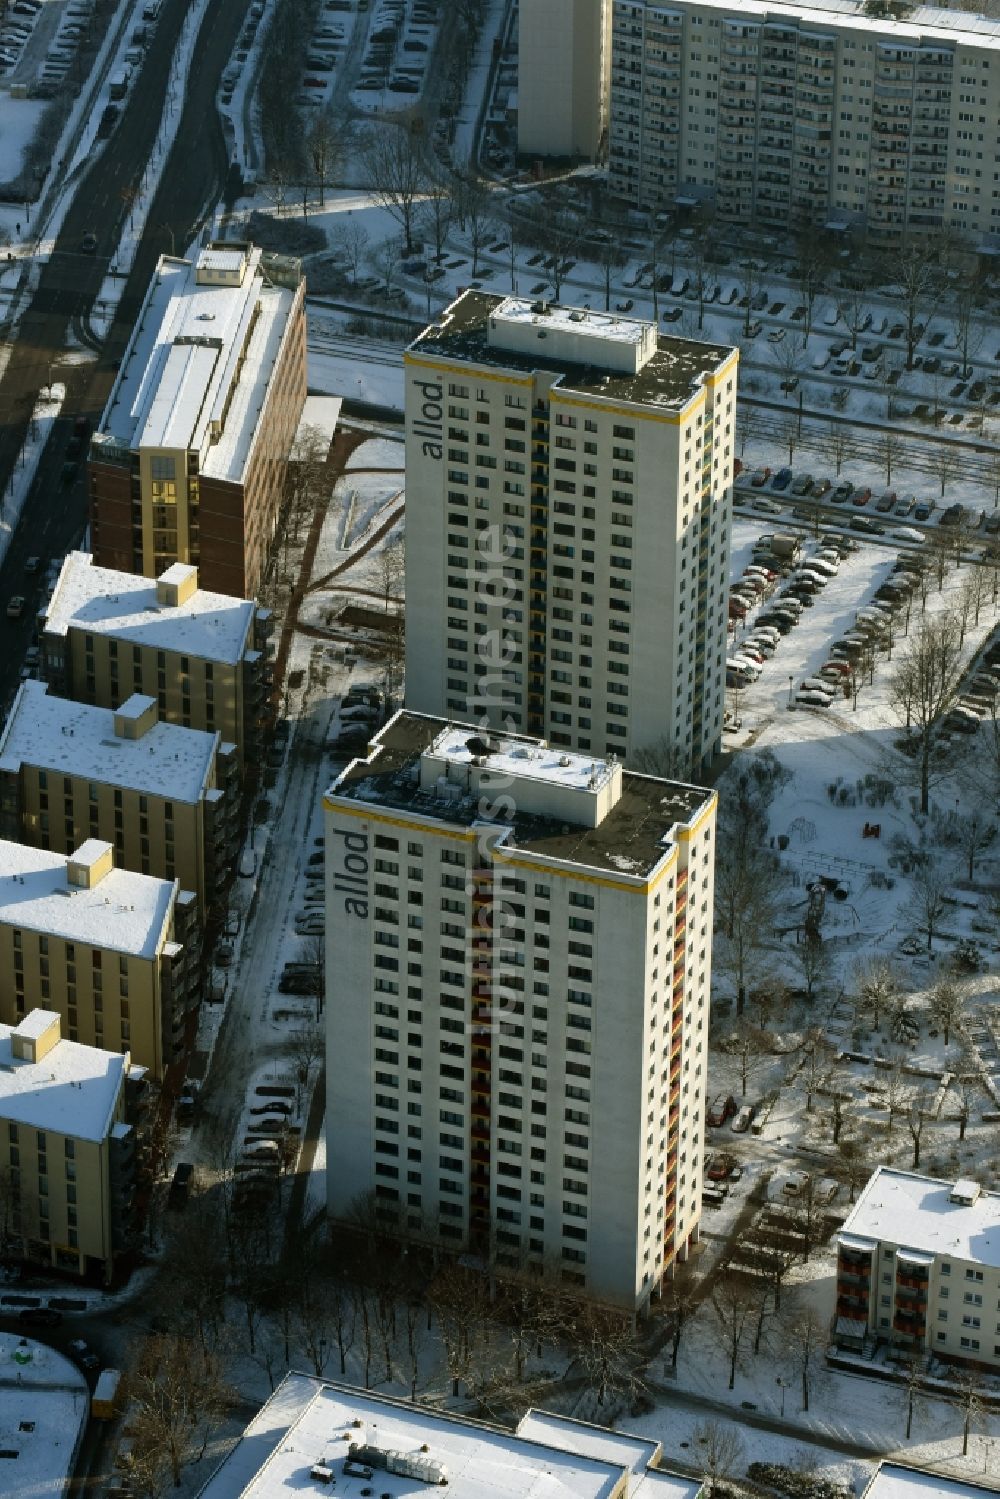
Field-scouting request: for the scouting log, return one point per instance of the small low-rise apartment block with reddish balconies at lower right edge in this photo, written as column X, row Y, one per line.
column 918, row 1267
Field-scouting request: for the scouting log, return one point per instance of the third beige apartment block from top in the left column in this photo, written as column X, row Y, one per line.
column 115, row 954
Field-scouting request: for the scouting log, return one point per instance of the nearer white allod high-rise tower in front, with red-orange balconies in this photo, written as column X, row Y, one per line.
column 521, row 1004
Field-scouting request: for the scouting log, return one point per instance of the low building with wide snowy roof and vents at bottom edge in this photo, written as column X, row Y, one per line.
column 316, row 1434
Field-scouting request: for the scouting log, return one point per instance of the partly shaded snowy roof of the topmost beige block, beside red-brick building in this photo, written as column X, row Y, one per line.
column 101, row 600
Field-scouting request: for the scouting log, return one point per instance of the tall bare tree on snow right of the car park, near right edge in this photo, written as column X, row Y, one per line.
column 924, row 689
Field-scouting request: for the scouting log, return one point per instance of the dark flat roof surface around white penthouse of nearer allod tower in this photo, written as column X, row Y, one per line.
column 632, row 840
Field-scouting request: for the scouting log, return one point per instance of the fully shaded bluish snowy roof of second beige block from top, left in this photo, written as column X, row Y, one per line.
column 79, row 740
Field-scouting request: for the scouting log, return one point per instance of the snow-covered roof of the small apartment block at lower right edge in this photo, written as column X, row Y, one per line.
column 920, row 1213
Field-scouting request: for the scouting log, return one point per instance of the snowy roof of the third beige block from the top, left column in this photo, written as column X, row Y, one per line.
column 124, row 912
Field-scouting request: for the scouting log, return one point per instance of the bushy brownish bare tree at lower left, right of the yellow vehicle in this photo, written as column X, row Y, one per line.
column 175, row 1402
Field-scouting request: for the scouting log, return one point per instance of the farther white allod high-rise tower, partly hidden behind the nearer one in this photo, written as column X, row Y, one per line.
column 569, row 489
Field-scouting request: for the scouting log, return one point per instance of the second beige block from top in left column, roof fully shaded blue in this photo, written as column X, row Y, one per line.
column 166, row 798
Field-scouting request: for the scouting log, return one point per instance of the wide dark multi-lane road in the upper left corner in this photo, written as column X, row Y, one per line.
column 191, row 184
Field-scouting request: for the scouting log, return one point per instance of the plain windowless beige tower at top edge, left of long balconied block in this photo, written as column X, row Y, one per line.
column 563, row 77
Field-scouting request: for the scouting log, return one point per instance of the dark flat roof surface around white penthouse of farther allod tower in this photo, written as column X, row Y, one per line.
column 669, row 380
